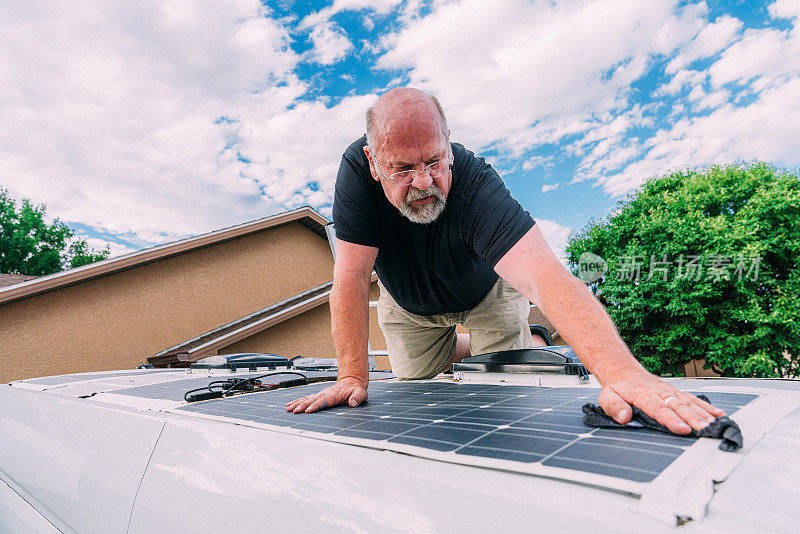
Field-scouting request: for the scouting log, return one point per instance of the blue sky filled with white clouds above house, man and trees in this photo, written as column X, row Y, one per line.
column 146, row 123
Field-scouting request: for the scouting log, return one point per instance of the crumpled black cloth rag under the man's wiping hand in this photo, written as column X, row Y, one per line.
column 723, row 428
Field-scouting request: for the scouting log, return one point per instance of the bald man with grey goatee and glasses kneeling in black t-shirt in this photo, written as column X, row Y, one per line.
column 447, row 241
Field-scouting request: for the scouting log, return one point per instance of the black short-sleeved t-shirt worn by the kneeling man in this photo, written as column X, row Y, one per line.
column 445, row 266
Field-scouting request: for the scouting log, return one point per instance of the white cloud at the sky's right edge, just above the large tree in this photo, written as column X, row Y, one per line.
column 766, row 64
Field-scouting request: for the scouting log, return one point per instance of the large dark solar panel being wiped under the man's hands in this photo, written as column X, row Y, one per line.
column 519, row 423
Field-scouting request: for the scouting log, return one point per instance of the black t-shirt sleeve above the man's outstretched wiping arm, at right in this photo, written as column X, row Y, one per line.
column 493, row 221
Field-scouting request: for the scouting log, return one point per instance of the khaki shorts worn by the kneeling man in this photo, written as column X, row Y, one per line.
column 420, row 346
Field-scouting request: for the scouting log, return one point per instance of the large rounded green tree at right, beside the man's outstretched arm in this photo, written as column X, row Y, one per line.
column 717, row 258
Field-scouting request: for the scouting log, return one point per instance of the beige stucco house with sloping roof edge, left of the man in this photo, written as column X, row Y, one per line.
column 262, row 286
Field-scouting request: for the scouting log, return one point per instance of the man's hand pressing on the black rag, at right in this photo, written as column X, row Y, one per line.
column 677, row 410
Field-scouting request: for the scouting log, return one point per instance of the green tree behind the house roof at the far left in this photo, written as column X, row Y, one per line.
column 28, row 245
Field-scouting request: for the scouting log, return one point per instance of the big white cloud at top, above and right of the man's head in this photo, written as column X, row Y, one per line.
column 514, row 74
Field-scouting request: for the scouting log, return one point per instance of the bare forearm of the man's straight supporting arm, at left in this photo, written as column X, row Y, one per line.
column 350, row 325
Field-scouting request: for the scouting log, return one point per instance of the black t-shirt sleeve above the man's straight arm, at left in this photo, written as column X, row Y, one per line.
column 355, row 213
